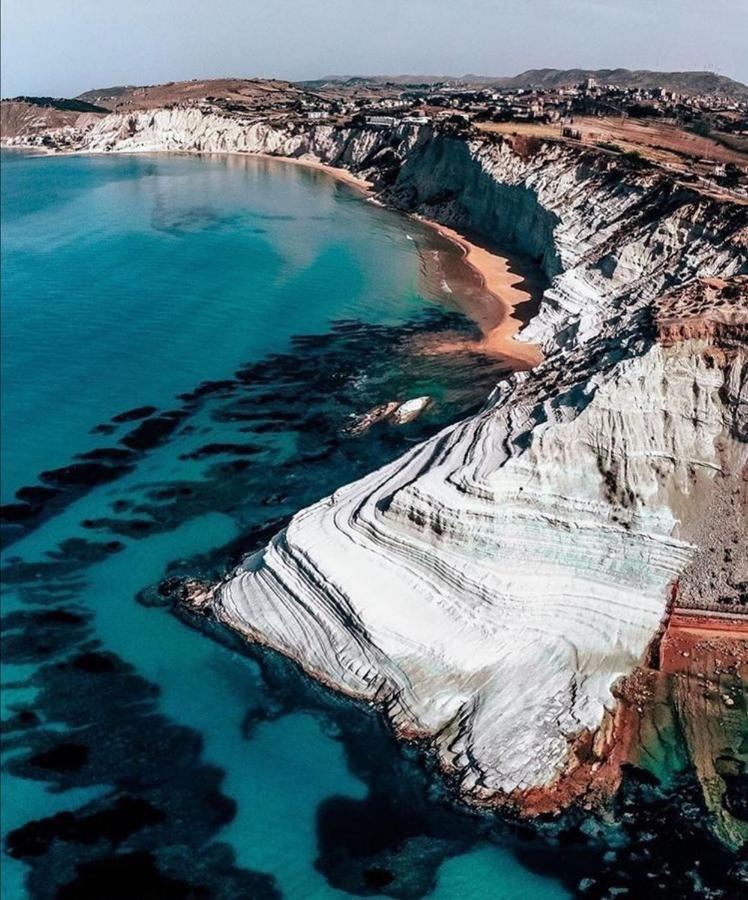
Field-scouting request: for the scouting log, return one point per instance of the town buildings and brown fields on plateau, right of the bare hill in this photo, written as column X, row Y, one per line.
column 570, row 112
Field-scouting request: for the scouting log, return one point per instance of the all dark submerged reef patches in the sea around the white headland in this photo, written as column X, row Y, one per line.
column 272, row 440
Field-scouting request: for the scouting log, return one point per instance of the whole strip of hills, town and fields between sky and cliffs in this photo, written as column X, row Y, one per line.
column 670, row 120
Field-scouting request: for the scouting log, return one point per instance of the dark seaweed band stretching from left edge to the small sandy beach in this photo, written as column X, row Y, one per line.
column 308, row 393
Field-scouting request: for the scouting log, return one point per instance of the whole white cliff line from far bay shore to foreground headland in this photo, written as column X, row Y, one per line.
column 496, row 590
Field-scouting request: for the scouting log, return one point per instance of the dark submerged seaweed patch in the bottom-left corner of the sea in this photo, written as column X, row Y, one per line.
column 151, row 833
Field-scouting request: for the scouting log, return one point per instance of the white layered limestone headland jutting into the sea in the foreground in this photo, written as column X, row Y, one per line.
column 489, row 594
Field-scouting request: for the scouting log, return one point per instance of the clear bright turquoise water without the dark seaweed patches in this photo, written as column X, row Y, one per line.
column 129, row 280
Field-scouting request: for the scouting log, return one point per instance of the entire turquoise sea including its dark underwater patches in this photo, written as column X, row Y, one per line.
column 184, row 341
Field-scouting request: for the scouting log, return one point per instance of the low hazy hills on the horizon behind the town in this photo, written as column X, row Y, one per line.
column 683, row 82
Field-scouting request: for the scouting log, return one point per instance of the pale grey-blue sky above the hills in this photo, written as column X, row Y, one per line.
column 64, row 47
